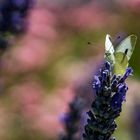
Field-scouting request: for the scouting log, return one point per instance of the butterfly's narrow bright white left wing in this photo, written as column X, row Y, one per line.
column 109, row 50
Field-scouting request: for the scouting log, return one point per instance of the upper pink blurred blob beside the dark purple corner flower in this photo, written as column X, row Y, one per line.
column 42, row 24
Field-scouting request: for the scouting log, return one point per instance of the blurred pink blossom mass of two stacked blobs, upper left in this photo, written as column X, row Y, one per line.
column 34, row 48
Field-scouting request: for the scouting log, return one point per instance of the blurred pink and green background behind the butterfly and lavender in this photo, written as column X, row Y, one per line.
column 56, row 58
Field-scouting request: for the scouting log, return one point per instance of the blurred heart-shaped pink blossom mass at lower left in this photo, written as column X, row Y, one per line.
column 41, row 112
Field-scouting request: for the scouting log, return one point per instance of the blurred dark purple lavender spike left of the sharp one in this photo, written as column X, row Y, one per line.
column 71, row 120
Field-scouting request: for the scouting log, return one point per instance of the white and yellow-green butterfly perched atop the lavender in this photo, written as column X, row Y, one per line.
column 119, row 55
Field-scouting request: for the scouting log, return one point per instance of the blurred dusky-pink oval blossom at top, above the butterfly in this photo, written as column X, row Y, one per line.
column 88, row 16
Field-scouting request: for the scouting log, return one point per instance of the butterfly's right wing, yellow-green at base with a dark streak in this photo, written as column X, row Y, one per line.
column 123, row 54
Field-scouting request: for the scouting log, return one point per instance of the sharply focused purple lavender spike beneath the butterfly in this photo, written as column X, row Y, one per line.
column 110, row 94
